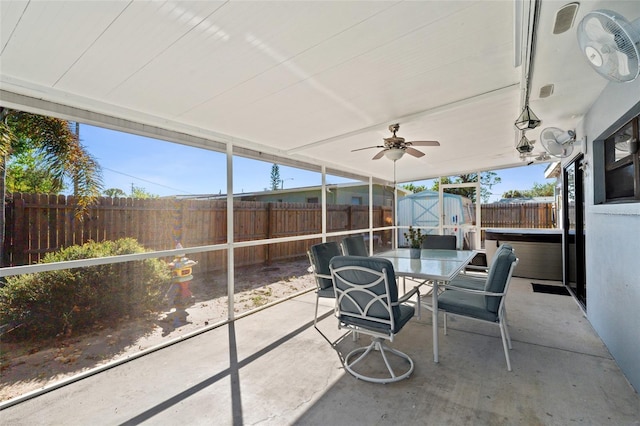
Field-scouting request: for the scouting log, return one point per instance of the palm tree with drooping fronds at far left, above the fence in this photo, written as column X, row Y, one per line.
column 62, row 152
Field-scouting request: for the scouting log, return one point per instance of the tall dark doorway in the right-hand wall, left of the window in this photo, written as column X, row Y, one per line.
column 574, row 229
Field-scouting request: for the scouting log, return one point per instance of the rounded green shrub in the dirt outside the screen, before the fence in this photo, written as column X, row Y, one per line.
column 45, row 304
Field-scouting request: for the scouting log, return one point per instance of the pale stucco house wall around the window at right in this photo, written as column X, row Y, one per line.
column 612, row 238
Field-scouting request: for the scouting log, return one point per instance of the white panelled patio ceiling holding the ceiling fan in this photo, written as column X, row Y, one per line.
column 307, row 80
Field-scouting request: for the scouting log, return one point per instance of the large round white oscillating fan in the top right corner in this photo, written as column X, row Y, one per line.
column 611, row 44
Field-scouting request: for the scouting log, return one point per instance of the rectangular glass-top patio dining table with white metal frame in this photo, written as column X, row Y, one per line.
column 439, row 266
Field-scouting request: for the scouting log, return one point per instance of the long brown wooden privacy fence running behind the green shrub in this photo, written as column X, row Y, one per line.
column 37, row 224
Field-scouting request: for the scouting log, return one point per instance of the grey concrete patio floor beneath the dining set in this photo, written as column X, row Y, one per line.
column 274, row 368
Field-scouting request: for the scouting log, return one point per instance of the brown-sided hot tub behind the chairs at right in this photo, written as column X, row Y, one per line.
column 539, row 251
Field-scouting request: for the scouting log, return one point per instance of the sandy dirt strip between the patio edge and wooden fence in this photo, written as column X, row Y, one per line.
column 30, row 366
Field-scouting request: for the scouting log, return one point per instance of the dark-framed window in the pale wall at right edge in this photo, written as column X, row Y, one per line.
column 622, row 164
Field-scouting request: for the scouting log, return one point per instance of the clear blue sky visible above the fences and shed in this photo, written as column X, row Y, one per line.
column 164, row 168
